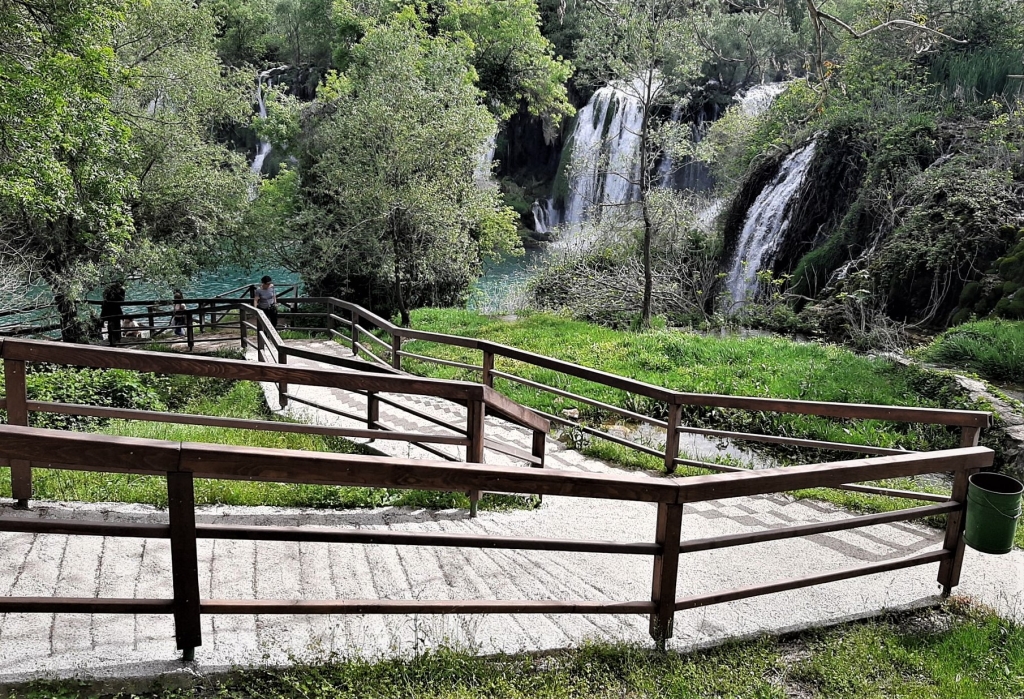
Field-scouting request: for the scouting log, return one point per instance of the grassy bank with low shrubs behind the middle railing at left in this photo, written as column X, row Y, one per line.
column 208, row 398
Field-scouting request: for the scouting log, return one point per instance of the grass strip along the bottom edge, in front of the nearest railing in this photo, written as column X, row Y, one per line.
column 956, row 651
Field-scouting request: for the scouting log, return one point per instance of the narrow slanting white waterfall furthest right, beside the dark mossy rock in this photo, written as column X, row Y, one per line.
column 766, row 224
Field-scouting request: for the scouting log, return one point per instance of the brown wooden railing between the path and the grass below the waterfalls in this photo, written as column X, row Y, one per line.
column 360, row 329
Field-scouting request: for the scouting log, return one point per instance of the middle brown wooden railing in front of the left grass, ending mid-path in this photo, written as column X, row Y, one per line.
column 479, row 400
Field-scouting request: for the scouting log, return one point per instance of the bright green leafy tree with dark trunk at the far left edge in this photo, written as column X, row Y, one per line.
column 65, row 184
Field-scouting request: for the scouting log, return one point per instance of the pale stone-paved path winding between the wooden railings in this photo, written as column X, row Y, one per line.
column 105, row 645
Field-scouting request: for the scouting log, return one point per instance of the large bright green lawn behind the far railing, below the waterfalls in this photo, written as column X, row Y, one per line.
column 765, row 367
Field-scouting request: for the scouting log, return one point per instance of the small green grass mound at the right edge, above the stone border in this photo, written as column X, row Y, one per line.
column 993, row 348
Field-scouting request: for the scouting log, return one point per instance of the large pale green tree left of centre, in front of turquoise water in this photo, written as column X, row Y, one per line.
column 389, row 207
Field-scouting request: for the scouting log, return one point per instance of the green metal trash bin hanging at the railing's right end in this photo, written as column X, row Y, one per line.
column 994, row 506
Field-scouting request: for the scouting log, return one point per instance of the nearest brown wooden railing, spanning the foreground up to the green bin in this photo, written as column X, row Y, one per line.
column 182, row 463
